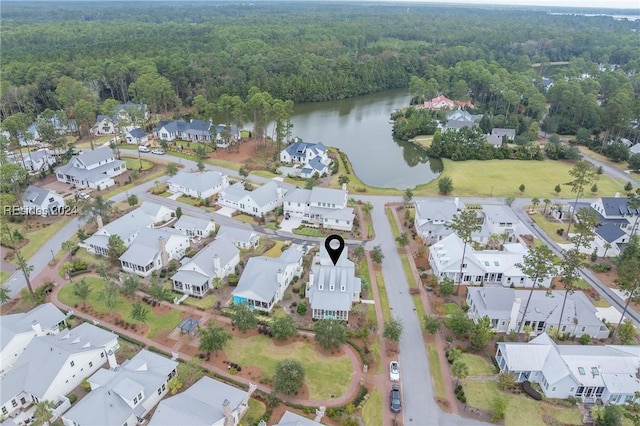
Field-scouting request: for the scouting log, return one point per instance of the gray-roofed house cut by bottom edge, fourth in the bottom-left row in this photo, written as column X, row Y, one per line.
column 208, row 402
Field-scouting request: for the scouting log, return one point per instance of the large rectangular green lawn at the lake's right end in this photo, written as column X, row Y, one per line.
column 501, row 178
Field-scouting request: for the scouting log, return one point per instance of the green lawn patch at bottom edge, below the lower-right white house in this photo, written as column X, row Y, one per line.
column 480, row 394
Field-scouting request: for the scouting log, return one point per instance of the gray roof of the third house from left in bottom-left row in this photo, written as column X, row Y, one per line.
column 105, row 405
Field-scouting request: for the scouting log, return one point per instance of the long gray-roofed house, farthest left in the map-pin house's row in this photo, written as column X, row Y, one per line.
column 127, row 227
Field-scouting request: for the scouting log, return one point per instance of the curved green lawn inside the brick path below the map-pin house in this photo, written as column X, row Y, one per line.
column 325, row 376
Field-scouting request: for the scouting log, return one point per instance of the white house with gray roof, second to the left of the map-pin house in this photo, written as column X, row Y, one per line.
column 215, row 262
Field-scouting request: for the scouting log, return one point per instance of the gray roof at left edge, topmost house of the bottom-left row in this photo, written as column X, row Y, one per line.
column 47, row 315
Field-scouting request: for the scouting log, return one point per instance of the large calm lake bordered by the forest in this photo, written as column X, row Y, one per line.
column 360, row 128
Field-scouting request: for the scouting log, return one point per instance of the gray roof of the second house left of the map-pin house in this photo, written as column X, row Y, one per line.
column 221, row 247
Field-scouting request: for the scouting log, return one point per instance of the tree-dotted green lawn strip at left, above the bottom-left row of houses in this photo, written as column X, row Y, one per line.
column 157, row 323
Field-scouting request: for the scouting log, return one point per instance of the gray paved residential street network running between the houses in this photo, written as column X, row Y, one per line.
column 419, row 406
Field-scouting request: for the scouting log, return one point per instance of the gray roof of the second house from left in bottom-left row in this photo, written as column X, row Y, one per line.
column 53, row 351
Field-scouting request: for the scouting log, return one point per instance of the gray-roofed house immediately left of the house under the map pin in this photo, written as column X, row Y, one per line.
column 265, row 279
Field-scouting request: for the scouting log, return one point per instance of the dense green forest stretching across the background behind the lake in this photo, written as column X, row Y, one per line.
column 173, row 56
